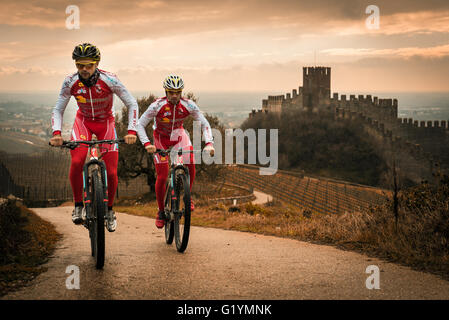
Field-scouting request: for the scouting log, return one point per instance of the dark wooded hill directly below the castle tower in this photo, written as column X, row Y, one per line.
column 317, row 144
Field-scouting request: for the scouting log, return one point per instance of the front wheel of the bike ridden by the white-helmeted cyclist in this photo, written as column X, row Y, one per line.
column 182, row 212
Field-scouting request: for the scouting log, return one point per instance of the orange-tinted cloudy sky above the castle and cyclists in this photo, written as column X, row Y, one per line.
column 231, row 45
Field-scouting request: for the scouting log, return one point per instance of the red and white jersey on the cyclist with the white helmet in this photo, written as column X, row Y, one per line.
column 168, row 118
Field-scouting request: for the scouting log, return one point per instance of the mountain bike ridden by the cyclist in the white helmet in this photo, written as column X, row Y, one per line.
column 177, row 200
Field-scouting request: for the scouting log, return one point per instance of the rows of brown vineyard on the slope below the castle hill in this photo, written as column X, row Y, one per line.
column 311, row 194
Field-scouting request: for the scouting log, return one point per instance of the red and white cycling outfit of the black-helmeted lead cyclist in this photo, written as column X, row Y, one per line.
column 94, row 116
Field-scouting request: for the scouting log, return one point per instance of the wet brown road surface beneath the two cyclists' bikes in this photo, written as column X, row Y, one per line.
column 218, row 264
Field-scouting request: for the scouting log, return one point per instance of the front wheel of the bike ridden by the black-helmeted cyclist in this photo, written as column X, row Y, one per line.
column 97, row 225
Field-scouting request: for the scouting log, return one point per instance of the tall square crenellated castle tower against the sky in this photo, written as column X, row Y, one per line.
column 316, row 87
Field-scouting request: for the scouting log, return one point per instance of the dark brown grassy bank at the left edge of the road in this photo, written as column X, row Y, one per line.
column 26, row 248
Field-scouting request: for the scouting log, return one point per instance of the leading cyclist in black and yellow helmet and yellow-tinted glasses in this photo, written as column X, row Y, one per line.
column 93, row 90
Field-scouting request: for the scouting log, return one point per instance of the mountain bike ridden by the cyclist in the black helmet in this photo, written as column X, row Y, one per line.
column 95, row 194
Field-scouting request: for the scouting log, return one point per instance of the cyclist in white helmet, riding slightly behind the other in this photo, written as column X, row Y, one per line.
column 169, row 113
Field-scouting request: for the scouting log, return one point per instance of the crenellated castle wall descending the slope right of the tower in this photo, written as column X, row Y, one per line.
column 417, row 147
